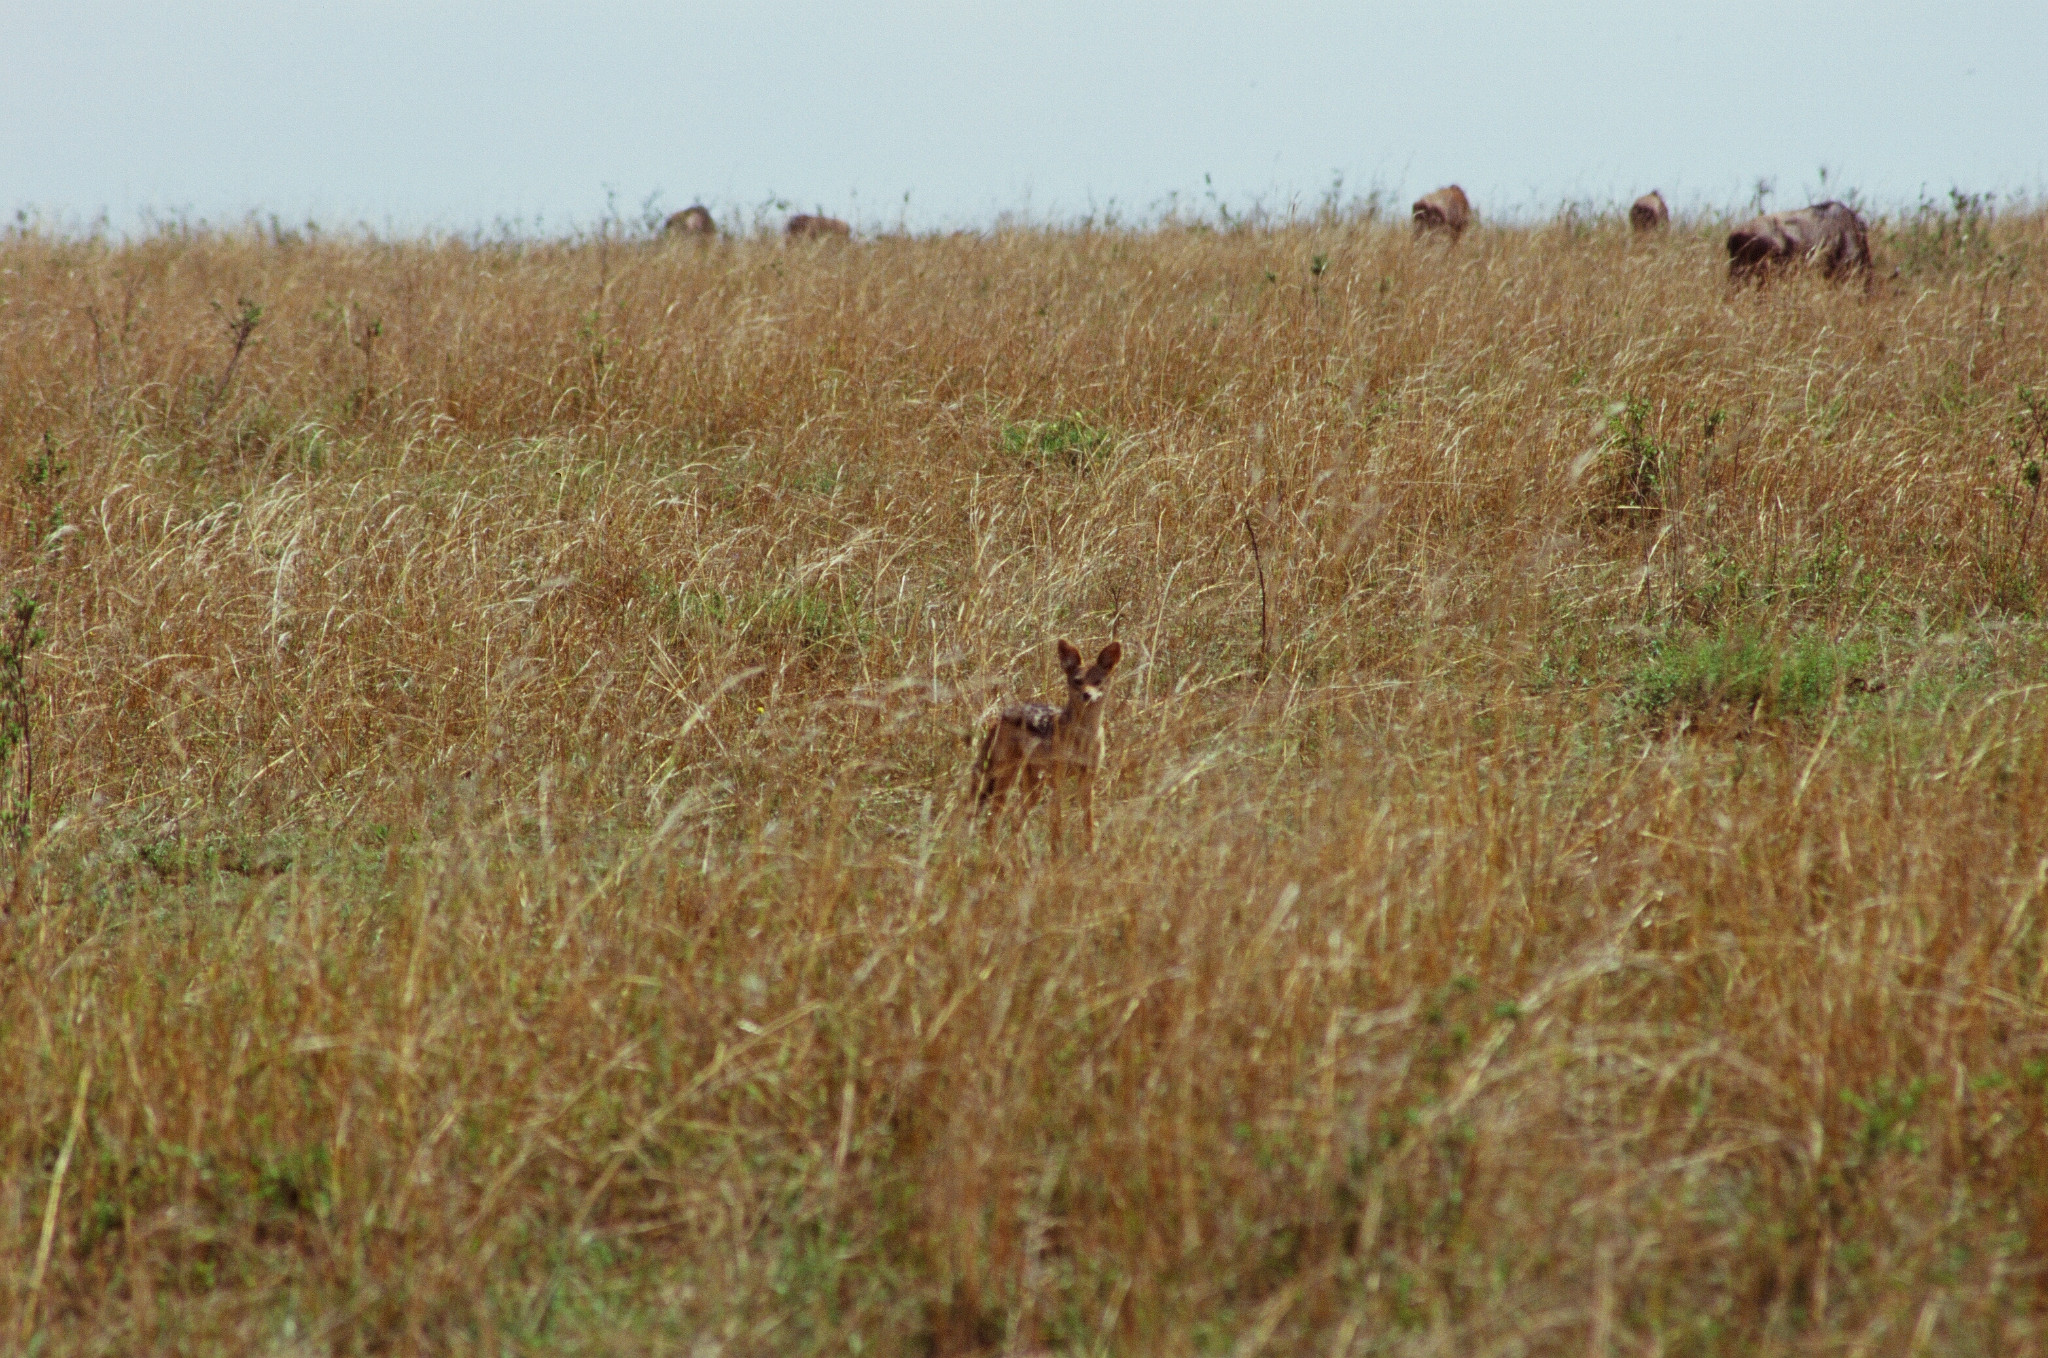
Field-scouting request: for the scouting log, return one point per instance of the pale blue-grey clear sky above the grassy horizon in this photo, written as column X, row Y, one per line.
column 458, row 116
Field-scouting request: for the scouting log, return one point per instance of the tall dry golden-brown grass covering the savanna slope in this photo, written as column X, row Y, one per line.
column 501, row 876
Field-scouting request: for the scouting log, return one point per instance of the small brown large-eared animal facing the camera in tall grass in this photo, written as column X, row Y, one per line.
column 1037, row 742
